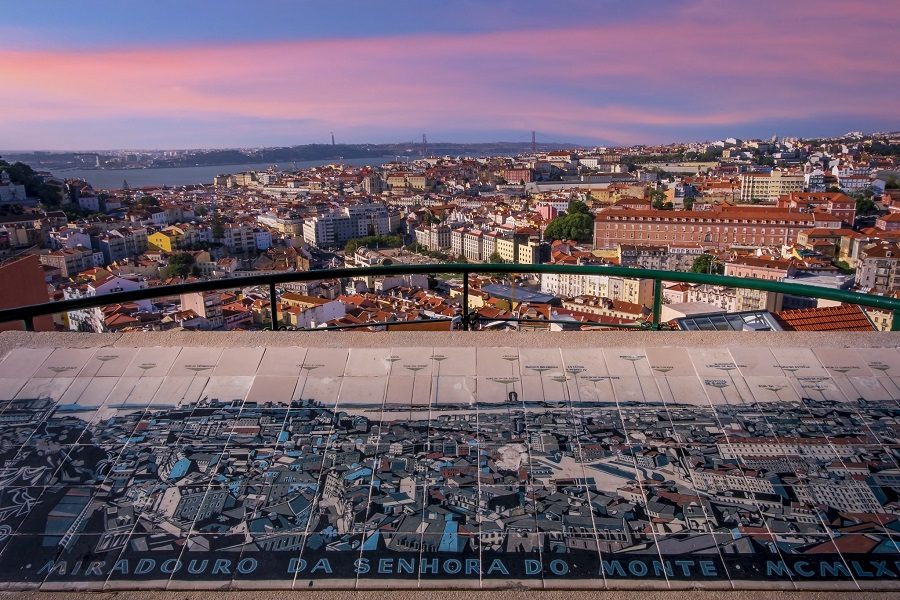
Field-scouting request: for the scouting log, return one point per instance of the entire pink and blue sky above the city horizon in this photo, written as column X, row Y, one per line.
column 223, row 73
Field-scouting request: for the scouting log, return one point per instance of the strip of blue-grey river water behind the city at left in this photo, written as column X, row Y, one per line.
column 106, row 179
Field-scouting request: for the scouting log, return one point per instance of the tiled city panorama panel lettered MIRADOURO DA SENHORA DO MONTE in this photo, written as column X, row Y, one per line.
column 290, row 467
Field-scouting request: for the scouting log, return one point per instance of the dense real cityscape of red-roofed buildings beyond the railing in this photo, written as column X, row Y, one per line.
column 821, row 212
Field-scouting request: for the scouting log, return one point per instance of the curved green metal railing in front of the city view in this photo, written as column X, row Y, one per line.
column 27, row 314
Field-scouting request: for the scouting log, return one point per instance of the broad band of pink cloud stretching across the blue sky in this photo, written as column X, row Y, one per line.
column 599, row 81
